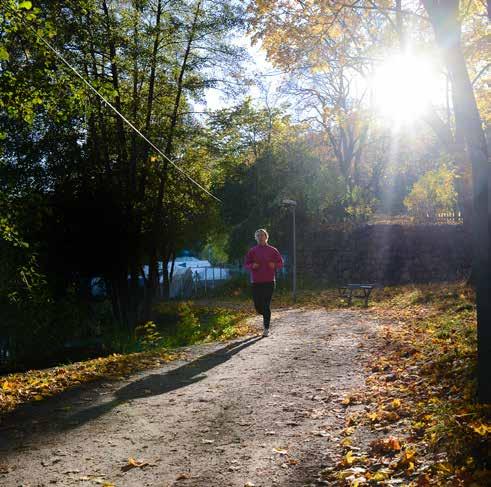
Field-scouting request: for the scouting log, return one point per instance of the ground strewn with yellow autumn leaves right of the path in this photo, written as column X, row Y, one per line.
column 419, row 423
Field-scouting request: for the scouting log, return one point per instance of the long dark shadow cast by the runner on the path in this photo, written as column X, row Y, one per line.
column 157, row 384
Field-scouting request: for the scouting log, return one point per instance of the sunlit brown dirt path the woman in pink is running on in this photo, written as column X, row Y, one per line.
column 254, row 411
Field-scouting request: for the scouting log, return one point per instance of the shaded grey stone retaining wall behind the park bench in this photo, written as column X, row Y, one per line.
column 386, row 254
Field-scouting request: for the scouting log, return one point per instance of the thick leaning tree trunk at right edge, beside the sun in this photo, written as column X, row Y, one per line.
column 444, row 17
